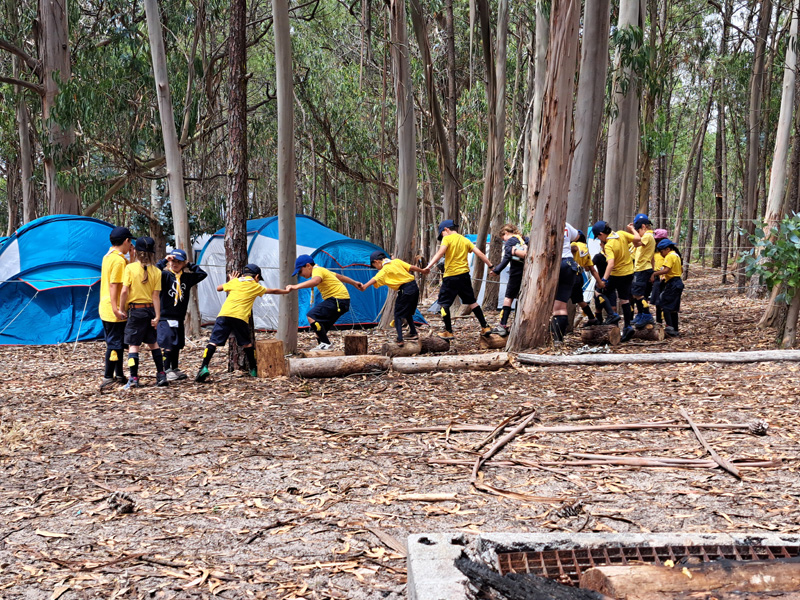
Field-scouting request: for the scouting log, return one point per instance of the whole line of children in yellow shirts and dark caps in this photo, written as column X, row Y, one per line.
column 143, row 303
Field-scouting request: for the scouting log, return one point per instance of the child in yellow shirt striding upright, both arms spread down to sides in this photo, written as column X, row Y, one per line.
column 456, row 281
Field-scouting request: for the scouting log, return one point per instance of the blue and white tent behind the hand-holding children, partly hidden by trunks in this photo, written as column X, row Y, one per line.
column 327, row 247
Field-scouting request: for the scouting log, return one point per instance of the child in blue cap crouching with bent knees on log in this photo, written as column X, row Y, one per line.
column 335, row 297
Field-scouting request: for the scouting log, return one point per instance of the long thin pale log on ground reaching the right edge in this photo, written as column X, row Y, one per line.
column 664, row 357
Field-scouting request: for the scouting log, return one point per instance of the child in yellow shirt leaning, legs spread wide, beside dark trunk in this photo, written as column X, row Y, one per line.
column 234, row 317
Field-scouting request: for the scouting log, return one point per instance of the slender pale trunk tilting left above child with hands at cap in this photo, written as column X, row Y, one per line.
column 172, row 151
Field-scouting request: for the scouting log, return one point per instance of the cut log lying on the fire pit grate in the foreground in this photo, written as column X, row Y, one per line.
column 648, row 581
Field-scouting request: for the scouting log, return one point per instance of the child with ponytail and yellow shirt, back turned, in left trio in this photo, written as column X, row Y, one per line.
column 141, row 287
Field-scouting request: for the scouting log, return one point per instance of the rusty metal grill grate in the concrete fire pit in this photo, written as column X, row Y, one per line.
column 566, row 566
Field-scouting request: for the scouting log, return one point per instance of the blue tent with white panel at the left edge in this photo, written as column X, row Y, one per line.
column 50, row 280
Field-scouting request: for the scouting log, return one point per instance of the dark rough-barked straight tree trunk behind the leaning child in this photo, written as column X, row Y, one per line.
column 236, row 209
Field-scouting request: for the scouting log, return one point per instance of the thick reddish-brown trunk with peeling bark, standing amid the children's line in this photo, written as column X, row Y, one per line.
column 539, row 283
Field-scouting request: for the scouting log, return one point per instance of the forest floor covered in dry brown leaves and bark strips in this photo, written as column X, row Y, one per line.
column 242, row 488
